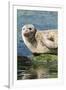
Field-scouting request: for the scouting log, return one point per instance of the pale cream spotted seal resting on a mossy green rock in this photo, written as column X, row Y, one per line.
column 40, row 41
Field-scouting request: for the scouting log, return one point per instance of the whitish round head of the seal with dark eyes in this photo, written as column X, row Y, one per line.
column 28, row 30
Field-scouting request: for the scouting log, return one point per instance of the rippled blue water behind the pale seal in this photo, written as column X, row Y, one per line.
column 40, row 19
